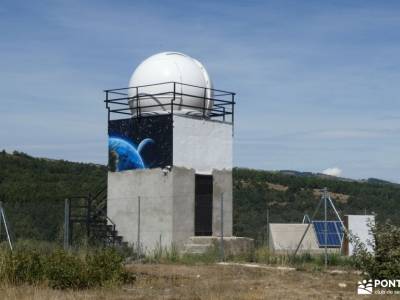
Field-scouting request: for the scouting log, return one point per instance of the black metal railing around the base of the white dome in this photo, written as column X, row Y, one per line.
column 169, row 97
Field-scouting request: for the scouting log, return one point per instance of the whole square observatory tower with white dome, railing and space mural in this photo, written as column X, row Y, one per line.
column 170, row 154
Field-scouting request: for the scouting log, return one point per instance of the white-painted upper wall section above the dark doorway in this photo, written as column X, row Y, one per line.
column 202, row 145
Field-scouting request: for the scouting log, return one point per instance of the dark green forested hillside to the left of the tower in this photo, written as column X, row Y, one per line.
column 33, row 192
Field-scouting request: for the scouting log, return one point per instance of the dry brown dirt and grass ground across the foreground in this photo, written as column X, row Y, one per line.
column 210, row 282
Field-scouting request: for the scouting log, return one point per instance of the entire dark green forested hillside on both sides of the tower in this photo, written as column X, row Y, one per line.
column 33, row 192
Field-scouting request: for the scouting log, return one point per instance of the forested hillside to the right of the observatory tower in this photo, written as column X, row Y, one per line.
column 290, row 195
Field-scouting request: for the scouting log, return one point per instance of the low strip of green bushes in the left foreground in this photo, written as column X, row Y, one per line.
column 62, row 270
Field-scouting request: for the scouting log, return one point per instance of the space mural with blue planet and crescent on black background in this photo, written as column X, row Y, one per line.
column 140, row 143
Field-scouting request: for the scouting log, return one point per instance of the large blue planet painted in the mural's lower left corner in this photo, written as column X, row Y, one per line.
column 127, row 157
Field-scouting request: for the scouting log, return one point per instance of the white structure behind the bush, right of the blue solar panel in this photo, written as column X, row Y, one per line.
column 358, row 225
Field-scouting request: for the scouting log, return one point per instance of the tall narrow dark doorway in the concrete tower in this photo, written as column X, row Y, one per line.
column 203, row 205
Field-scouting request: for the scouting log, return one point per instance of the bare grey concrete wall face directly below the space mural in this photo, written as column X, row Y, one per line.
column 156, row 213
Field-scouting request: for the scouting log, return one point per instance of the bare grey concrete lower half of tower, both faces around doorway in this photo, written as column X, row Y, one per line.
column 167, row 205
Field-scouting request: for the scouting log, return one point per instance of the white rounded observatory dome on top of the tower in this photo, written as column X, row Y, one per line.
column 193, row 88
